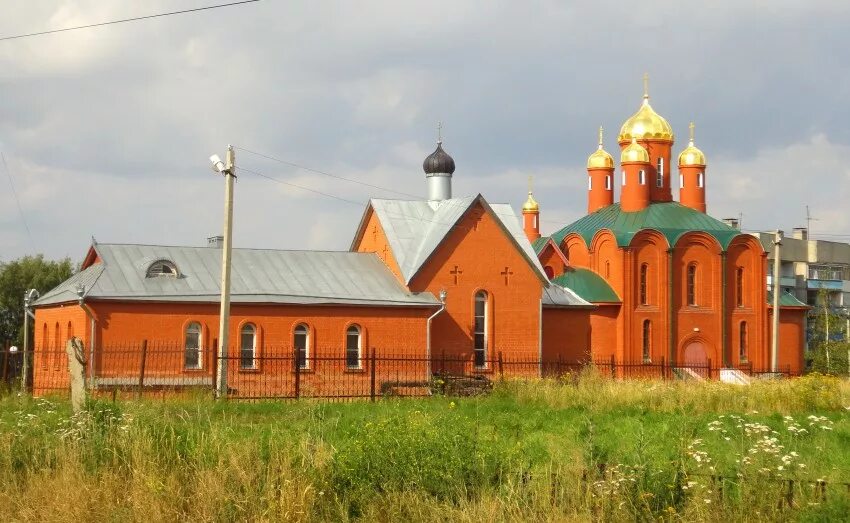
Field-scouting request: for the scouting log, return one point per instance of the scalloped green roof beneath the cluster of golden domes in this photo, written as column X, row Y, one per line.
column 671, row 219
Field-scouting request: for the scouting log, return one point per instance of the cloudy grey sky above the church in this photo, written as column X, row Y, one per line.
column 106, row 132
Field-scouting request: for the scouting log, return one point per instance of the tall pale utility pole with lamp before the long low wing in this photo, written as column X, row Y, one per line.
column 228, row 169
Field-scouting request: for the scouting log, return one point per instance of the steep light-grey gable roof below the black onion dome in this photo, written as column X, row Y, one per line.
column 416, row 228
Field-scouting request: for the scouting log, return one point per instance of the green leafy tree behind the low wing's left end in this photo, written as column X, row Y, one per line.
column 16, row 277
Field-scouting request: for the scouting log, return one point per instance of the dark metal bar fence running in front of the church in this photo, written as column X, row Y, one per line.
column 145, row 369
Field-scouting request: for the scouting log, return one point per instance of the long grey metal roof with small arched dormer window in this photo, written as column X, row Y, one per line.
column 257, row 276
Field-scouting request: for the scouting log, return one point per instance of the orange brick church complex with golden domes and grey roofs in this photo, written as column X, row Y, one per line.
column 642, row 280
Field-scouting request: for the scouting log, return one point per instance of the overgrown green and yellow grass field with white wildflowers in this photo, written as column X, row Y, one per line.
column 588, row 449
